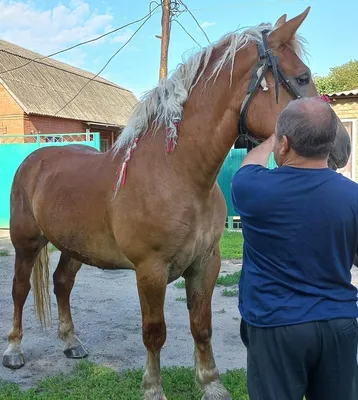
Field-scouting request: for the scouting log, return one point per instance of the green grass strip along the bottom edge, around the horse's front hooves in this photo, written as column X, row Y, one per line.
column 91, row 382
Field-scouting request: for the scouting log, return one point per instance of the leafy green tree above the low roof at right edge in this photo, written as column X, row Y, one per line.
column 339, row 79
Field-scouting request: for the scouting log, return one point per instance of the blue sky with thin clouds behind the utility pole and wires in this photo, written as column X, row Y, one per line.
column 47, row 26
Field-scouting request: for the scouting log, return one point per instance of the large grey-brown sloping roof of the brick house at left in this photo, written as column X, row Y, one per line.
column 44, row 86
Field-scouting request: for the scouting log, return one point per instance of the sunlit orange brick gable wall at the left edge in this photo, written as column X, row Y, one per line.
column 11, row 115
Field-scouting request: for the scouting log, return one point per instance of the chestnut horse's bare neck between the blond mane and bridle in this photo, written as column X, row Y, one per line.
column 206, row 137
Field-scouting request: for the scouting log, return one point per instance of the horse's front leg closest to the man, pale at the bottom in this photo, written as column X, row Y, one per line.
column 200, row 281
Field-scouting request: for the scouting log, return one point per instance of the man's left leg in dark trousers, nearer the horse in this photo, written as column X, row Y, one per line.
column 278, row 360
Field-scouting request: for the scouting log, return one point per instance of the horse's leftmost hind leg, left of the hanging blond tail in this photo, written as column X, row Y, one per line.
column 27, row 251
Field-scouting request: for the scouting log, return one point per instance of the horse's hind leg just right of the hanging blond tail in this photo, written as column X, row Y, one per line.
column 64, row 279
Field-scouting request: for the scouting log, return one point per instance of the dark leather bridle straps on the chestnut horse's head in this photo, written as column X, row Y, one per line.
column 267, row 61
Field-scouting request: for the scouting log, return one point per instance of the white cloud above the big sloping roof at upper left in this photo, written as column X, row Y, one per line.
column 50, row 30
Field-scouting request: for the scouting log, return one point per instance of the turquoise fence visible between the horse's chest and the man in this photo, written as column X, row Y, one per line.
column 231, row 165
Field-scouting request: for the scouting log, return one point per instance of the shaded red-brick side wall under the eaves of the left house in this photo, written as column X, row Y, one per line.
column 44, row 124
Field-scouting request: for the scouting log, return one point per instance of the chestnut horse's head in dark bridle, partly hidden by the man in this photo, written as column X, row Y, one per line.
column 276, row 75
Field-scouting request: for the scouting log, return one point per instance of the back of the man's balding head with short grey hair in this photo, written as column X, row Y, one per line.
column 310, row 126
